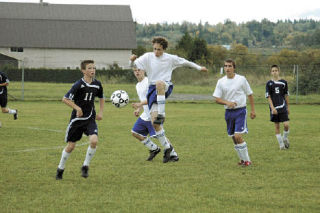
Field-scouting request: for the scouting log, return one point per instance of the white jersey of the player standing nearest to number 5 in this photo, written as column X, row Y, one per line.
column 235, row 90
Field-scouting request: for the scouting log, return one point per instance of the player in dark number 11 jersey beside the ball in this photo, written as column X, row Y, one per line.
column 81, row 99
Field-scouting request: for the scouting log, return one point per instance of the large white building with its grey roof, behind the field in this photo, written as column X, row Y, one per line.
column 61, row 36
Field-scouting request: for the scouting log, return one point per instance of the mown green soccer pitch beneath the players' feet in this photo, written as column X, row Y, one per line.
column 206, row 179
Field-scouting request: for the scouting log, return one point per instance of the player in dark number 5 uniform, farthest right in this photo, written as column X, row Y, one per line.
column 278, row 98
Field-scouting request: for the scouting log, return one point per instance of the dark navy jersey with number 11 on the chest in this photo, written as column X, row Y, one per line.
column 83, row 95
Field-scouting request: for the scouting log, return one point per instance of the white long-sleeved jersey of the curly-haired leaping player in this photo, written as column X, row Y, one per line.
column 160, row 68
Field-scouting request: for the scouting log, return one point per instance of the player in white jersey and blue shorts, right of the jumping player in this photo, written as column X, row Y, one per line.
column 232, row 91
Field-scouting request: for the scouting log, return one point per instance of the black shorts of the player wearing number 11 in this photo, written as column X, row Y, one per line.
column 78, row 127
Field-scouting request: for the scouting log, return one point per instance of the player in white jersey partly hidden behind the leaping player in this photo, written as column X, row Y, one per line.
column 143, row 126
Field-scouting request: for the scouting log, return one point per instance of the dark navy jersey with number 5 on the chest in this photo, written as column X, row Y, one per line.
column 277, row 90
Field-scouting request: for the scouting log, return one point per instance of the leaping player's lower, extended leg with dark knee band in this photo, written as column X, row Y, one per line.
column 161, row 136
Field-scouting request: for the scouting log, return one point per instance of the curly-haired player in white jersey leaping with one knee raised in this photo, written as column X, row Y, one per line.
column 159, row 66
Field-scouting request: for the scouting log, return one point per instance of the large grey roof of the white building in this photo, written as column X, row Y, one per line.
column 66, row 26
